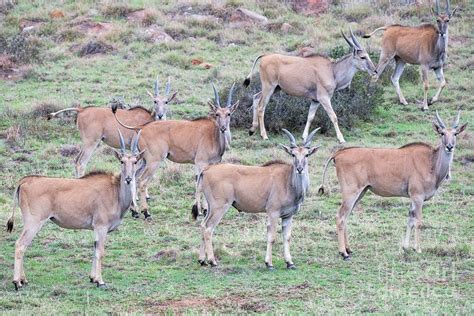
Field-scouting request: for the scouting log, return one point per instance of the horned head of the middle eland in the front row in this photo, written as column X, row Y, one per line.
column 300, row 154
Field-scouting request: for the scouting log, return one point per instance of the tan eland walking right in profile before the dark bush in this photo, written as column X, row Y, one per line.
column 315, row 77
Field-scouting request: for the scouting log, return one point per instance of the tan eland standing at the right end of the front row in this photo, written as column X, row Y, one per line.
column 414, row 171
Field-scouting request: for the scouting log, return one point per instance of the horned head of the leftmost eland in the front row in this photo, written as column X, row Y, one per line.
column 129, row 161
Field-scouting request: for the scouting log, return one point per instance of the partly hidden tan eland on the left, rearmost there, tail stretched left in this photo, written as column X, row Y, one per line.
column 98, row 124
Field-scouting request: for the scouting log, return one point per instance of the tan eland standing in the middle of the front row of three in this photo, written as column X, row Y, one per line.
column 276, row 188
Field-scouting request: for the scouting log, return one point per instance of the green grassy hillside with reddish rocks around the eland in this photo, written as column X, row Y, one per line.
column 152, row 266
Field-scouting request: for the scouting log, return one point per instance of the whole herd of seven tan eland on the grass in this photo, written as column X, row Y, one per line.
column 98, row 201
